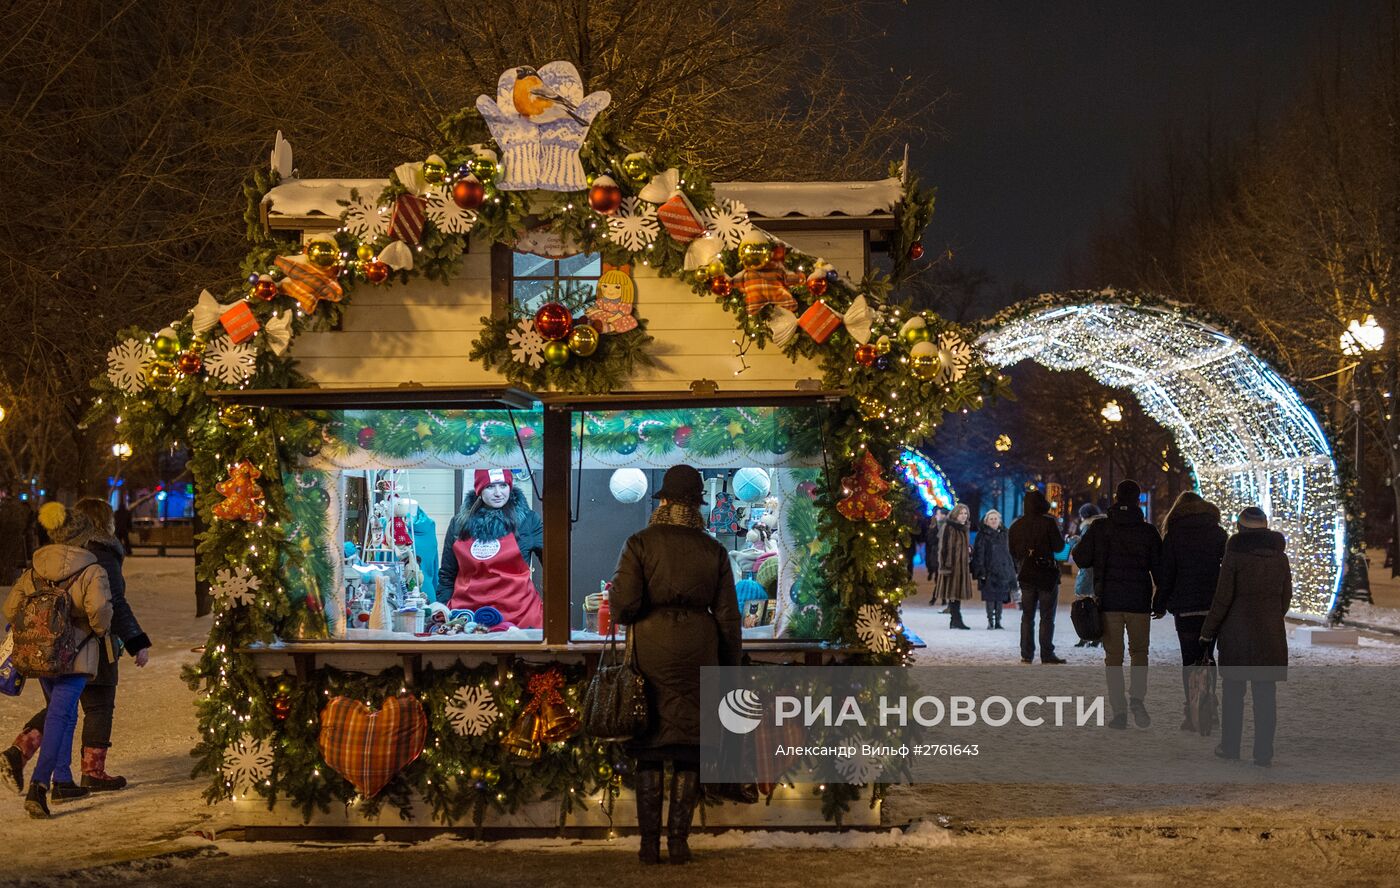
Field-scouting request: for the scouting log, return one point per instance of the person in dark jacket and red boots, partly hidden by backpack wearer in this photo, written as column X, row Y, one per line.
column 99, row 697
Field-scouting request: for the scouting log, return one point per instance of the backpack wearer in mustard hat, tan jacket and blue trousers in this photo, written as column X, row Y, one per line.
column 59, row 611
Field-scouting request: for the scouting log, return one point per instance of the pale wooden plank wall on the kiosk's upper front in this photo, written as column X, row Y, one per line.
column 423, row 331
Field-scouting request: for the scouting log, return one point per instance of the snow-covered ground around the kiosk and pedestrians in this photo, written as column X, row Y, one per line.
column 1009, row 833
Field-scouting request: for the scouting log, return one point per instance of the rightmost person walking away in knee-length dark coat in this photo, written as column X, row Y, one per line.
column 1247, row 620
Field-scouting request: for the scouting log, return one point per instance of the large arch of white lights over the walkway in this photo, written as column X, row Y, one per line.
column 1244, row 432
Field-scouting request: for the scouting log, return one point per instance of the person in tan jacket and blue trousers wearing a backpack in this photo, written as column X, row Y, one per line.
column 69, row 567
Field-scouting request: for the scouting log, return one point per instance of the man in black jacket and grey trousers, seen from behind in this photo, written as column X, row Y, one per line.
column 1125, row 553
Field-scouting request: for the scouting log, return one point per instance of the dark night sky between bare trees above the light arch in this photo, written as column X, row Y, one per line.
column 1052, row 107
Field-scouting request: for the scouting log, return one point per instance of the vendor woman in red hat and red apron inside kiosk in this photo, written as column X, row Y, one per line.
column 488, row 550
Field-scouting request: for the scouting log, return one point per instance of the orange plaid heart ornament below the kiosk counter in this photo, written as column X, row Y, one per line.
column 367, row 747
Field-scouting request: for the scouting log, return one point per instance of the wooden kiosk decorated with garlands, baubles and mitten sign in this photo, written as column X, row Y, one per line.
column 538, row 324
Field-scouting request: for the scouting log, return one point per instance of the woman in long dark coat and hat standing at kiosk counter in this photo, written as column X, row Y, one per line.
column 674, row 589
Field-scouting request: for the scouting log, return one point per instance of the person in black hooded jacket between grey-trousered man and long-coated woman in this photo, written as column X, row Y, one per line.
column 1192, row 553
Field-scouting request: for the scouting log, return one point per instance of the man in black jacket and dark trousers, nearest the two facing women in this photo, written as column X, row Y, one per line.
column 1035, row 539
